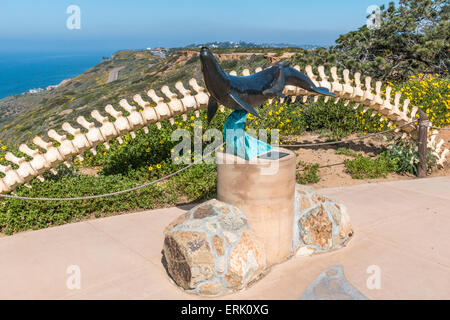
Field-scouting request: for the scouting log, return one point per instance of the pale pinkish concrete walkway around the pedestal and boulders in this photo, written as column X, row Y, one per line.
column 402, row 230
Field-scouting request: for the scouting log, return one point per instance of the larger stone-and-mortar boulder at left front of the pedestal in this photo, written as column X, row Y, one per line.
column 211, row 250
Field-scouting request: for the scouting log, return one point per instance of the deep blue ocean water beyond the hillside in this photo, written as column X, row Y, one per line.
column 22, row 71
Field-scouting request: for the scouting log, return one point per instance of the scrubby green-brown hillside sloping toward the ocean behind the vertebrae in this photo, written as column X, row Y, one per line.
column 26, row 115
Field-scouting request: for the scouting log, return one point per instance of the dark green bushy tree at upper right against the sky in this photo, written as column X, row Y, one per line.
column 412, row 38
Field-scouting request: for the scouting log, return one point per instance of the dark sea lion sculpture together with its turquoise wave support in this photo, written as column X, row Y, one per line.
column 245, row 93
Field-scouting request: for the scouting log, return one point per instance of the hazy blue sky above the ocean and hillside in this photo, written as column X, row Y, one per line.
column 134, row 24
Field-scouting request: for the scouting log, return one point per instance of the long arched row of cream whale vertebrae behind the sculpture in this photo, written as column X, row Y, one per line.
column 345, row 88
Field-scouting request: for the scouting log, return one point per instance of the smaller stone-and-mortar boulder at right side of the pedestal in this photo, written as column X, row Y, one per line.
column 320, row 225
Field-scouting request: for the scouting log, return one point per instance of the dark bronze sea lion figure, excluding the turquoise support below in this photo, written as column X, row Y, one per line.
column 250, row 91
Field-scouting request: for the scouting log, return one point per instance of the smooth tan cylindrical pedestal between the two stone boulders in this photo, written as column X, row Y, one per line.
column 264, row 189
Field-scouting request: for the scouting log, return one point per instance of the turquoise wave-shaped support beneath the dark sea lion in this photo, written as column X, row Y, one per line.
column 240, row 143
